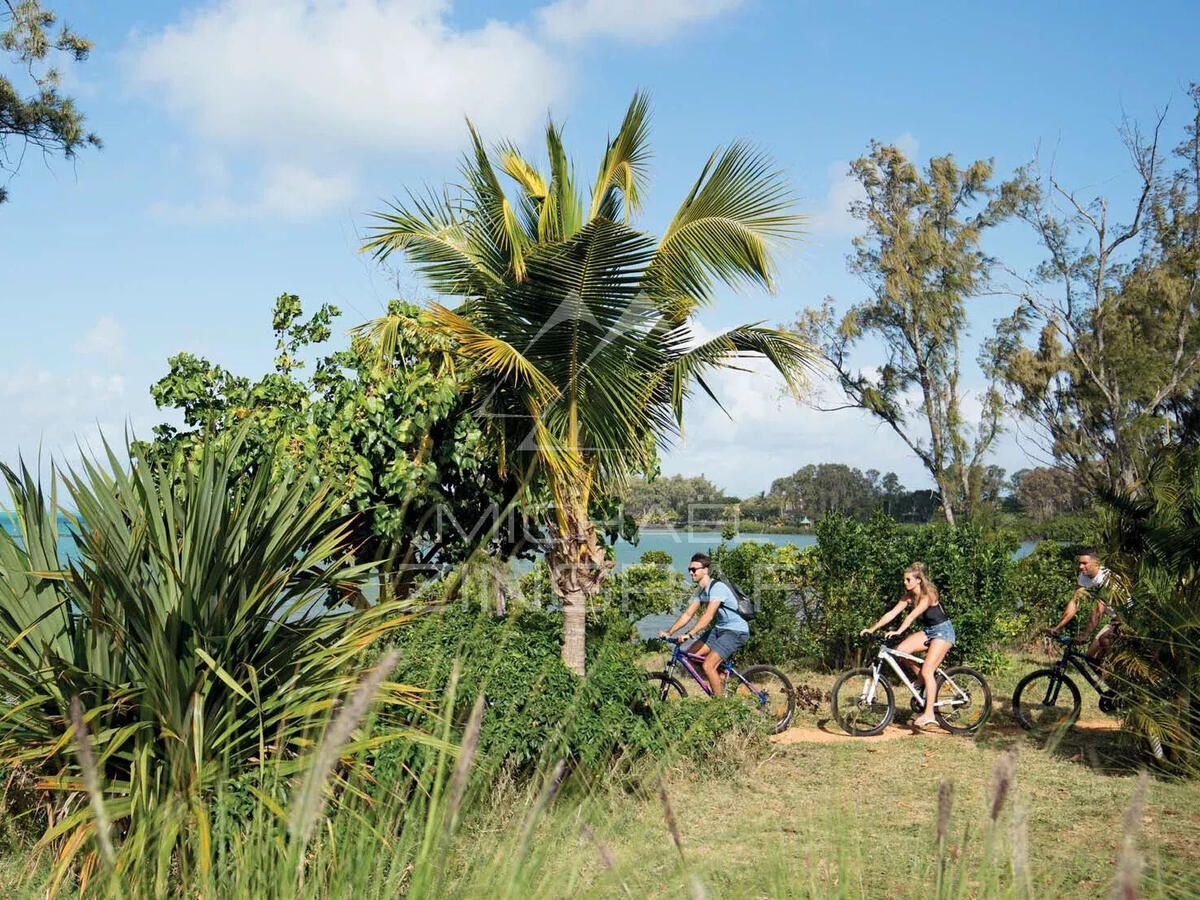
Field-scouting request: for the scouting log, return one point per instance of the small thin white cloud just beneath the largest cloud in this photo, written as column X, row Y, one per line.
column 292, row 194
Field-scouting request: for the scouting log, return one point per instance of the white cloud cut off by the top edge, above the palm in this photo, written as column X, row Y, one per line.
column 634, row 21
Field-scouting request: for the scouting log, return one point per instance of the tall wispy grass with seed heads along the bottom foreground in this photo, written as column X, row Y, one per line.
column 448, row 831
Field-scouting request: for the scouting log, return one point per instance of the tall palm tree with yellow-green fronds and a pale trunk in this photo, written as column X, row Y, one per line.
column 580, row 326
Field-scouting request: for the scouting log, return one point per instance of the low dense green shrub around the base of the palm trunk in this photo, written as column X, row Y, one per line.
column 537, row 710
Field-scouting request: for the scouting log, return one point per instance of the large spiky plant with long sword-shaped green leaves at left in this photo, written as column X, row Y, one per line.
column 191, row 622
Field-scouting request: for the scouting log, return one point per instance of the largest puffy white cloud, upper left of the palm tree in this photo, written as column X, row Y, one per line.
column 302, row 79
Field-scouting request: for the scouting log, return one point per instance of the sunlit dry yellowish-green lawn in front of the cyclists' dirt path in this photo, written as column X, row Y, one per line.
column 848, row 818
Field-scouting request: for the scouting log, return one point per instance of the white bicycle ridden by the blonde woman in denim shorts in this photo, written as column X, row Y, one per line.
column 862, row 713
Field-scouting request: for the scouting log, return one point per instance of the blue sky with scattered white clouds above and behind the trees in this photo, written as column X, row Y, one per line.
column 247, row 143
